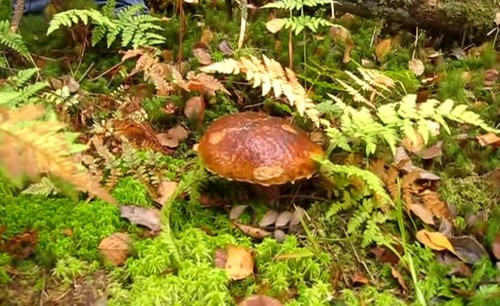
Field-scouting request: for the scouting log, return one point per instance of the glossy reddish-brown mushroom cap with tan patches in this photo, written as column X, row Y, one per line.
column 257, row 148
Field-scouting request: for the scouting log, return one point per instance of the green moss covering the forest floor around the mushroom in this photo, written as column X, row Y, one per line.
column 67, row 268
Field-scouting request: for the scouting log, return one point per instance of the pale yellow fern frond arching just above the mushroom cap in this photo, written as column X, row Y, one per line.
column 270, row 75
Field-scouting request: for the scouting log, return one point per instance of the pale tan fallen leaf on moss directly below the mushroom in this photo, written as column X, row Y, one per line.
column 239, row 263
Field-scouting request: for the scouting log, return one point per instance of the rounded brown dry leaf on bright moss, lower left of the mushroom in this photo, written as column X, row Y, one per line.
column 115, row 248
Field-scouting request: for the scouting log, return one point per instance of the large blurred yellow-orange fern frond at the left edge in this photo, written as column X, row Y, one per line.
column 32, row 146
